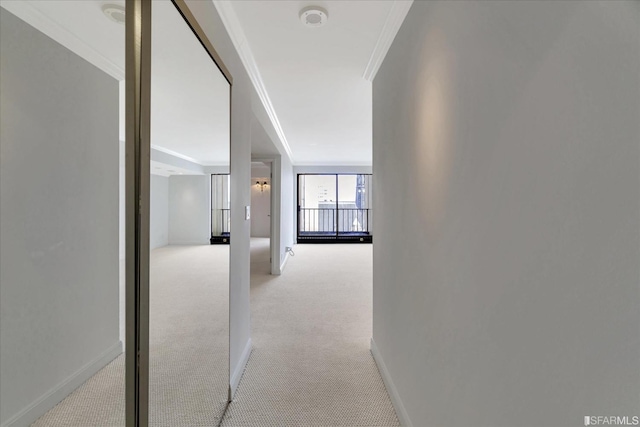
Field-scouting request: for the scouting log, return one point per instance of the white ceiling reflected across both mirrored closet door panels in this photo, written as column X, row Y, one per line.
column 190, row 97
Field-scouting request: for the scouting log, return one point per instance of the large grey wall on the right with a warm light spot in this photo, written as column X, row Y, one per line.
column 506, row 166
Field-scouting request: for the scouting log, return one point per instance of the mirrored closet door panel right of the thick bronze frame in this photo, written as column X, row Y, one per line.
column 189, row 277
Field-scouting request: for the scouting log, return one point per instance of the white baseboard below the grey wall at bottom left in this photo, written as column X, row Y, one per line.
column 54, row 396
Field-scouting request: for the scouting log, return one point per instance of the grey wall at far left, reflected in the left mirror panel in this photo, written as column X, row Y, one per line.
column 58, row 221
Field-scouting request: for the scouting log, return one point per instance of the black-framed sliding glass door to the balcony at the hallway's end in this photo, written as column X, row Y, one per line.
column 334, row 208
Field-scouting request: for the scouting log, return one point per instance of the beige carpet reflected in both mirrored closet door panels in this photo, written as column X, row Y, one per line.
column 188, row 361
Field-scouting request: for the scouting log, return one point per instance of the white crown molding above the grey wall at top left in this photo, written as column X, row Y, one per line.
column 37, row 19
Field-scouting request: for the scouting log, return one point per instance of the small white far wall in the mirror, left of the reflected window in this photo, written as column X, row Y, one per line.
column 189, row 209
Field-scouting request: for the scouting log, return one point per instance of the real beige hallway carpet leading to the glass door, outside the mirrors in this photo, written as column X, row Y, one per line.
column 311, row 330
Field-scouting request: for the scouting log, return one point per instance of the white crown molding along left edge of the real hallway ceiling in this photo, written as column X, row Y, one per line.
column 236, row 33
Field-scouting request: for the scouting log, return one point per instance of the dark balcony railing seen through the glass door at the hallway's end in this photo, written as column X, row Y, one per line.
column 333, row 220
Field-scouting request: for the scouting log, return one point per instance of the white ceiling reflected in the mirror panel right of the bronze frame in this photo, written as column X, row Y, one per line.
column 190, row 98
